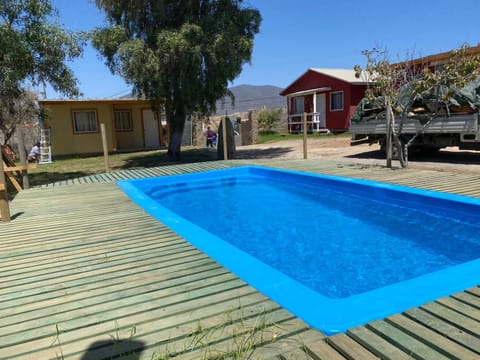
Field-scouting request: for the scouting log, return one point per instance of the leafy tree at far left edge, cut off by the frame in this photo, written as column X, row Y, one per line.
column 33, row 49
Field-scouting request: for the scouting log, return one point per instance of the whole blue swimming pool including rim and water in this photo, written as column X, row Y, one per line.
column 336, row 252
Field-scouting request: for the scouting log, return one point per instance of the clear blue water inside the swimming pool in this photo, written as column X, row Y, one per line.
column 310, row 235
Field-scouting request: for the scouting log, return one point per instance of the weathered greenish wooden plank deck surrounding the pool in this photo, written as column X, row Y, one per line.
column 86, row 274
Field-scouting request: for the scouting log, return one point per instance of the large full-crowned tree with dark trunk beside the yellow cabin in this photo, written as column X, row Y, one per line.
column 178, row 54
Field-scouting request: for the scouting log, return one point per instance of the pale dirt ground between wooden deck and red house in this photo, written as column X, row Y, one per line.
column 338, row 148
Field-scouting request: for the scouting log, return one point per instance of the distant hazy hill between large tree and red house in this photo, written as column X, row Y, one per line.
column 249, row 97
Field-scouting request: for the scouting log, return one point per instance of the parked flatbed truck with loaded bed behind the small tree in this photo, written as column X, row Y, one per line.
column 427, row 124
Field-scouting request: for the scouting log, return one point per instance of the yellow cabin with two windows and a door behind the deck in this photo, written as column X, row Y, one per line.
column 130, row 124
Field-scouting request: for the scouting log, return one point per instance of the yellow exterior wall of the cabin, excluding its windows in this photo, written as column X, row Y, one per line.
column 64, row 141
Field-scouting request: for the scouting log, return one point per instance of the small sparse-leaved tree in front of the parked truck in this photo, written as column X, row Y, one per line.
column 398, row 86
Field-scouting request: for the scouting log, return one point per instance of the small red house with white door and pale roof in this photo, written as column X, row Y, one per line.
column 328, row 96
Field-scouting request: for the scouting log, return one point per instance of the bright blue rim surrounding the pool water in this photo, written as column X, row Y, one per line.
column 328, row 315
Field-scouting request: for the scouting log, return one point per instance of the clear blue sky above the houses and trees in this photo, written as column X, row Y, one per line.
column 301, row 34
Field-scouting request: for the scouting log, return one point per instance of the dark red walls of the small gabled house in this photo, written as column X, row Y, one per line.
column 352, row 94
